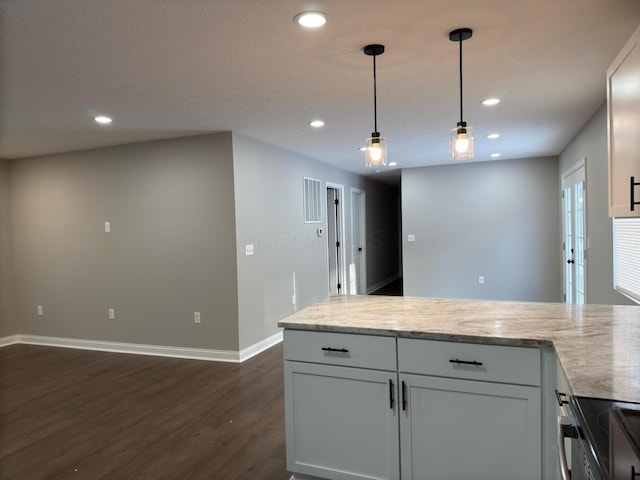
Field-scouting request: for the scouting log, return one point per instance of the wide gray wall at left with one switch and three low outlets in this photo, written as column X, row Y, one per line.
column 169, row 254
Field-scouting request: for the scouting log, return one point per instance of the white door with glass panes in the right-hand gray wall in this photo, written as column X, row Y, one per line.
column 574, row 230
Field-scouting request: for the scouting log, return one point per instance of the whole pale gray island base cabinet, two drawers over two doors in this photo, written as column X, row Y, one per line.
column 427, row 410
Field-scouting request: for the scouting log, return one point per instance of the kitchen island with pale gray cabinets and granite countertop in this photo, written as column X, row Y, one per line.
column 429, row 417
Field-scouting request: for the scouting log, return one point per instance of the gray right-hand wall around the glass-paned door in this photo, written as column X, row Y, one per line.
column 591, row 143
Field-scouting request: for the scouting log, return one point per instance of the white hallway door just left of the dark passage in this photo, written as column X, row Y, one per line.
column 358, row 265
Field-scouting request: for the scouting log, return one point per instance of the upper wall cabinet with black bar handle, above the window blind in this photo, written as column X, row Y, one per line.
column 623, row 123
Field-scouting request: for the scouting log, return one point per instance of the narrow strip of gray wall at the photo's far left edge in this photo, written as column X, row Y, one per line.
column 7, row 326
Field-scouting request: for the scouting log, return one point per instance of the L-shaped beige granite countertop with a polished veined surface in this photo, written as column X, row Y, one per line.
column 598, row 345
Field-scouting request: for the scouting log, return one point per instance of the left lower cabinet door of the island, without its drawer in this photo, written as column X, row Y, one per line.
column 341, row 422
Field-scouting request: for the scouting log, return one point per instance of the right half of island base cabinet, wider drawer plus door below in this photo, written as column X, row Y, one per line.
column 469, row 411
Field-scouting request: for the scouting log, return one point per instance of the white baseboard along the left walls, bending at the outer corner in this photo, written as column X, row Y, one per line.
column 140, row 349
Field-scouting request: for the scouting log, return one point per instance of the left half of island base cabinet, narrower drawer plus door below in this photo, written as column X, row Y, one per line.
column 341, row 421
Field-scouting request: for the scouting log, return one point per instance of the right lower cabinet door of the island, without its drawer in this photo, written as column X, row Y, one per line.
column 452, row 429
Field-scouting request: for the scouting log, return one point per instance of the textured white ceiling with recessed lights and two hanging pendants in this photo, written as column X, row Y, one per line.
column 169, row 68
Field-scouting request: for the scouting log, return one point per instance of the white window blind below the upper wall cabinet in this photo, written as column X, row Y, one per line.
column 626, row 257
